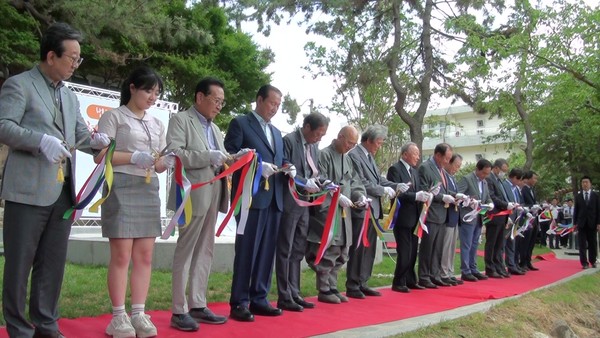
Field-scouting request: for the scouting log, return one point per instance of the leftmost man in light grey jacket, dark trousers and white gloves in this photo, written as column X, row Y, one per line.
column 41, row 123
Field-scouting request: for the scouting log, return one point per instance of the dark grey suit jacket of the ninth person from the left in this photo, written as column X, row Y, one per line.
column 429, row 175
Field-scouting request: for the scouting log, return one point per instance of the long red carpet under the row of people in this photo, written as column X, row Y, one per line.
column 327, row 318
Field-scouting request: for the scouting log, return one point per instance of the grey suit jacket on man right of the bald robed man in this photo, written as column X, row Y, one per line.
column 372, row 181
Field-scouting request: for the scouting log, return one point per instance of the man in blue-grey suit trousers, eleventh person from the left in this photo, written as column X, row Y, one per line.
column 475, row 186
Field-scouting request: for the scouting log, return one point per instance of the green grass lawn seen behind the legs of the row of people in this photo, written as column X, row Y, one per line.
column 84, row 291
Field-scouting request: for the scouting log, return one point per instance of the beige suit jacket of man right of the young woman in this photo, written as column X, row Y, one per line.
column 186, row 137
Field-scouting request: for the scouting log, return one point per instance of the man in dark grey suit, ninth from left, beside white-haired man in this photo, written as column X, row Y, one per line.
column 432, row 172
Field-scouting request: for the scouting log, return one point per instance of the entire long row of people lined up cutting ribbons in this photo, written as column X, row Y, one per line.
column 278, row 229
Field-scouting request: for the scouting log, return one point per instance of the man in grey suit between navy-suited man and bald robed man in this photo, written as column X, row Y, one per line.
column 300, row 148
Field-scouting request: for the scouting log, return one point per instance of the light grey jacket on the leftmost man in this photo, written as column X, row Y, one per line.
column 27, row 112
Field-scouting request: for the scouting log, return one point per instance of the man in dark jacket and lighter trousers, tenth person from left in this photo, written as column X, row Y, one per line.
column 450, row 231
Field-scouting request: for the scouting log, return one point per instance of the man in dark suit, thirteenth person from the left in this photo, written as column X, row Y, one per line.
column 512, row 189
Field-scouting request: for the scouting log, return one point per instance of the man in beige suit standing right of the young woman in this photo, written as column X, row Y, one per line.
column 198, row 142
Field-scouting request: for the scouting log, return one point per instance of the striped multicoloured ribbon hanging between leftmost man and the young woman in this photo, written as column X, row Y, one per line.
column 101, row 173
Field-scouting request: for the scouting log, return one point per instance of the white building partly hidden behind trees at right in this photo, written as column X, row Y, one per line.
column 467, row 132
